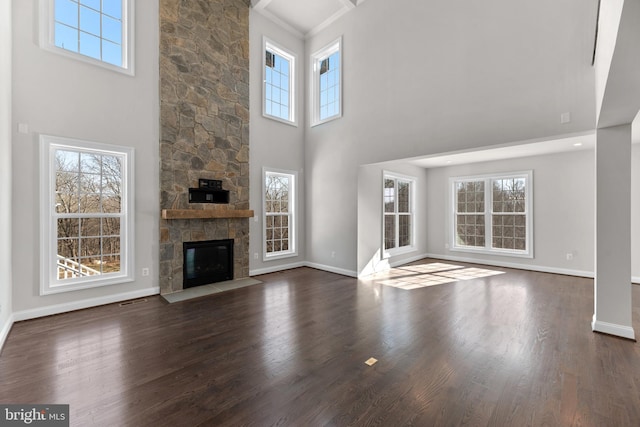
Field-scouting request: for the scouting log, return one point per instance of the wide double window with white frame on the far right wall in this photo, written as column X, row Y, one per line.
column 493, row 214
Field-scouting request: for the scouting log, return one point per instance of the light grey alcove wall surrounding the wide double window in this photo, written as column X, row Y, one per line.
column 563, row 215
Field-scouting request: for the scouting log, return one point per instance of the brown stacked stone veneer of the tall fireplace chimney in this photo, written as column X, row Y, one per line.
column 204, row 113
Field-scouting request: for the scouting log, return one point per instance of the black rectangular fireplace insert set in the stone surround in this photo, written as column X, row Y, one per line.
column 206, row 262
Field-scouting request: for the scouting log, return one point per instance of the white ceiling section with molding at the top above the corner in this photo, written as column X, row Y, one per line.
column 304, row 17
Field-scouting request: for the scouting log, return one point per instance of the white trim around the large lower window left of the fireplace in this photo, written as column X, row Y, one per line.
column 48, row 238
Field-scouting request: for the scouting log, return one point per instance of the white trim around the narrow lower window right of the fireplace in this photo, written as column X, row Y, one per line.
column 293, row 223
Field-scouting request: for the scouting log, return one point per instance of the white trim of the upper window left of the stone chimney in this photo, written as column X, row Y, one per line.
column 47, row 38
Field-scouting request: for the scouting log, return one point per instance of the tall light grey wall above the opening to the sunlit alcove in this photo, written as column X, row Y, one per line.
column 432, row 77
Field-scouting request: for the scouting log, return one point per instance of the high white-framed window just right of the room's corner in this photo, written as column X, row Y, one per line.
column 326, row 93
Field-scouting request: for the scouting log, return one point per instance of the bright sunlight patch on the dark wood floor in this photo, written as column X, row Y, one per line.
column 424, row 275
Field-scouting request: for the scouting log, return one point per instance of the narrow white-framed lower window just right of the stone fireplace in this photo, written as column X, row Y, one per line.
column 279, row 214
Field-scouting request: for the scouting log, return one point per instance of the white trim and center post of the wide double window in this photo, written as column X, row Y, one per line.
column 488, row 213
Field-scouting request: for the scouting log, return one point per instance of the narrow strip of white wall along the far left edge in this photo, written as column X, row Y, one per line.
column 5, row 170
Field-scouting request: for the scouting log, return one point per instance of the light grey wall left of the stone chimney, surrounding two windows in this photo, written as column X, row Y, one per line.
column 60, row 96
